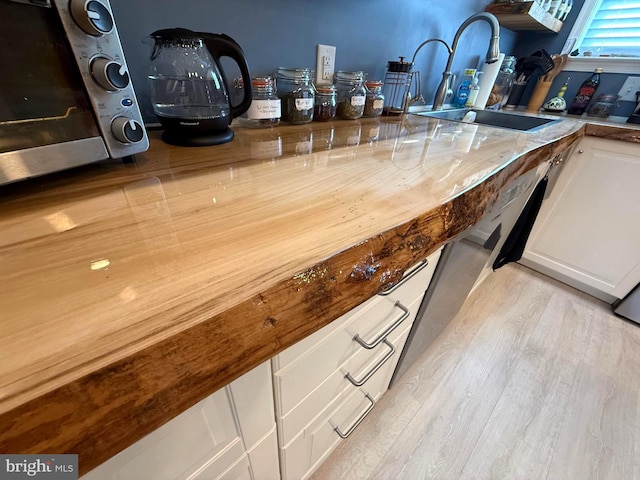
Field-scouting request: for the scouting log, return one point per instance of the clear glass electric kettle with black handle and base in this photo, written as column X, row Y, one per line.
column 189, row 87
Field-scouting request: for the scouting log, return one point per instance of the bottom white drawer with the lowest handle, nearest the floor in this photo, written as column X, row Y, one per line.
column 309, row 449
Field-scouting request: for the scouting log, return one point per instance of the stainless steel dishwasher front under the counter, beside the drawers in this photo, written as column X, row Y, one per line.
column 464, row 263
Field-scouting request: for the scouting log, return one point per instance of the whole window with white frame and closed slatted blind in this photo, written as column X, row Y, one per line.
column 607, row 29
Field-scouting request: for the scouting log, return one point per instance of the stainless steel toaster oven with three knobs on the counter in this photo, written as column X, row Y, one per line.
column 66, row 98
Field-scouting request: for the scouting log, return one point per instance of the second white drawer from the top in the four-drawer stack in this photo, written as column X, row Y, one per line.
column 300, row 378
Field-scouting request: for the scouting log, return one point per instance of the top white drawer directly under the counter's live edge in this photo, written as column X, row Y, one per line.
column 408, row 290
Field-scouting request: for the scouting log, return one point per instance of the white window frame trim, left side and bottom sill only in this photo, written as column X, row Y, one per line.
column 588, row 64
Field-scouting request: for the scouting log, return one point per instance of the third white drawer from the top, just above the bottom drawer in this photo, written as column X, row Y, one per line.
column 337, row 384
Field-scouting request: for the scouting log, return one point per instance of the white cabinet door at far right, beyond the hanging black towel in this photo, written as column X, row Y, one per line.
column 588, row 231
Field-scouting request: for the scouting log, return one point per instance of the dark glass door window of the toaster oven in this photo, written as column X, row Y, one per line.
column 42, row 100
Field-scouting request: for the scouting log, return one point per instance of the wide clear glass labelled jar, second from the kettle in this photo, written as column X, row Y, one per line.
column 296, row 93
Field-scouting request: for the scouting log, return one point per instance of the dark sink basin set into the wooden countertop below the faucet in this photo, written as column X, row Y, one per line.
column 512, row 121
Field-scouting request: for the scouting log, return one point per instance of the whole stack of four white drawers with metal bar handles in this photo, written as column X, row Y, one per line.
column 327, row 383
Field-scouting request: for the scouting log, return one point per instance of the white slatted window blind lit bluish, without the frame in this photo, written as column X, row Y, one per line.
column 614, row 29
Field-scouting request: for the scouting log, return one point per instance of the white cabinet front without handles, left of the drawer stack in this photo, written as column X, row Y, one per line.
column 229, row 435
